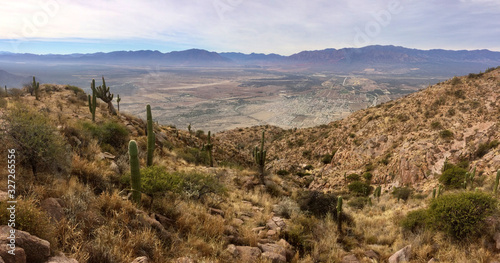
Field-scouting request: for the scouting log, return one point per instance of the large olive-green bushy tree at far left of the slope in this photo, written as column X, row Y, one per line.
column 38, row 142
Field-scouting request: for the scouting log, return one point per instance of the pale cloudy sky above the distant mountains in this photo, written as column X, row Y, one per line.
column 262, row 26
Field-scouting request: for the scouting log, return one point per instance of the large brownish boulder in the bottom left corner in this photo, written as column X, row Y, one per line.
column 37, row 250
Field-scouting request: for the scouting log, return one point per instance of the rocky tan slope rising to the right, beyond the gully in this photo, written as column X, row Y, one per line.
column 403, row 142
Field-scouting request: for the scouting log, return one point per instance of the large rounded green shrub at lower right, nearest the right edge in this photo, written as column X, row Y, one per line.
column 462, row 215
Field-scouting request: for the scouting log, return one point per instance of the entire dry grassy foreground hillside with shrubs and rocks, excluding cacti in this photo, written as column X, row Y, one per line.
column 376, row 186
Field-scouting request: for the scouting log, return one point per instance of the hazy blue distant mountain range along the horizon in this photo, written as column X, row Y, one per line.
column 369, row 60
